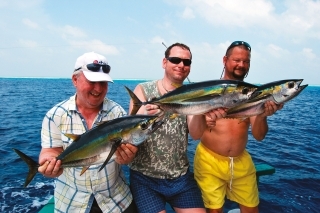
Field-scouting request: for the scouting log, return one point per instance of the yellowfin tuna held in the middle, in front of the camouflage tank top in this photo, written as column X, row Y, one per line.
column 201, row 97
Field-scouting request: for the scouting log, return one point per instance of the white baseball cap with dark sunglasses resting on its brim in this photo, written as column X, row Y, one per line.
column 94, row 66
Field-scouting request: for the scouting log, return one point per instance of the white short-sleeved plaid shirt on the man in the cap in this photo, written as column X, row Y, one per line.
column 75, row 193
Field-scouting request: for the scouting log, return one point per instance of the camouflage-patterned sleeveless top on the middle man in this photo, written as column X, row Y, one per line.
column 164, row 154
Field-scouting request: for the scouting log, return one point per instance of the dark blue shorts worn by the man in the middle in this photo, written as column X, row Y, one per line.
column 151, row 194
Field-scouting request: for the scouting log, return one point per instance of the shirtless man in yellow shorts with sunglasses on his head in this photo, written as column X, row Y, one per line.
column 222, row 166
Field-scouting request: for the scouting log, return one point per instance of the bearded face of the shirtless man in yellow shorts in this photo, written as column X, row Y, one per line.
column 237, row 64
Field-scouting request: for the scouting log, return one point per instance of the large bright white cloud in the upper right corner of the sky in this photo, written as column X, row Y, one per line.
column 297, row 19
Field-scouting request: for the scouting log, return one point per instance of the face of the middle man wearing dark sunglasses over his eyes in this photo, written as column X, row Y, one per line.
column 177, row 73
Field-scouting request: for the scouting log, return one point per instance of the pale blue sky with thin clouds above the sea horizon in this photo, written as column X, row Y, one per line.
column 41, row 38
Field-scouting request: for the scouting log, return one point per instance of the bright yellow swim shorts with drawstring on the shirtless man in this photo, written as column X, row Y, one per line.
column 218, row 176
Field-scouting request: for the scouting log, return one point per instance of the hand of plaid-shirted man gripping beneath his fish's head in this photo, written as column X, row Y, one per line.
column 125, row 153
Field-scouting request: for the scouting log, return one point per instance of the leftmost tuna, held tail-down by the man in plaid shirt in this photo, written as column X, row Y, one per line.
column 98, row 145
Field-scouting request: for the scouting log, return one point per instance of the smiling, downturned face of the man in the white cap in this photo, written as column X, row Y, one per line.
column 89, row 94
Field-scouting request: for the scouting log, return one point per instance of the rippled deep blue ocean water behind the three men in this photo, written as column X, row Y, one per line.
column 292, row 146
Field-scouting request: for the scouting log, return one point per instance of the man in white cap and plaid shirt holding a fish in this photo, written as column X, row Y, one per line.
column 93, row 191
